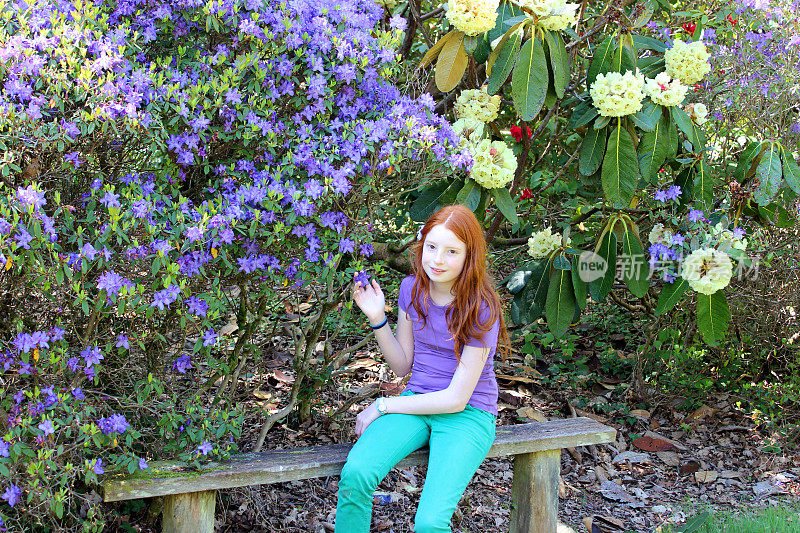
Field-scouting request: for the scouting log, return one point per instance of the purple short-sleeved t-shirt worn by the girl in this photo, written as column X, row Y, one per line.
column 434, row 352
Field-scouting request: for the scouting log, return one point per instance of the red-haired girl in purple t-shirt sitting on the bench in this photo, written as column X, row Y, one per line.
column 449, row 321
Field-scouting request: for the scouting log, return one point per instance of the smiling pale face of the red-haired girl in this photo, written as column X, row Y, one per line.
column 443, row 256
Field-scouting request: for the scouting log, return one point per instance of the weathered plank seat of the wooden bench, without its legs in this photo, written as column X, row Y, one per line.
column 276, row 466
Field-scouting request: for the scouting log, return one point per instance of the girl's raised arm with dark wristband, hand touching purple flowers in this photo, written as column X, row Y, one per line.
column 397, row 350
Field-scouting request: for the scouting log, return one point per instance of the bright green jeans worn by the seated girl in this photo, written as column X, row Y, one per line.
column 458, row 444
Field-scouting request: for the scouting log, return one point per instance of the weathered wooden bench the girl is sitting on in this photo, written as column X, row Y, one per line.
column 190, row 495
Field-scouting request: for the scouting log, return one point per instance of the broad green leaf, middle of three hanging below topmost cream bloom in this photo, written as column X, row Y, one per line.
column 530, row 79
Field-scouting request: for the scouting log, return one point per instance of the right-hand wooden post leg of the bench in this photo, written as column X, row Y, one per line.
column 534, row 492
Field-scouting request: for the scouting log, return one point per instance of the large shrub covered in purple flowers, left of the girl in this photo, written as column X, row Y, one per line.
column 185, row 171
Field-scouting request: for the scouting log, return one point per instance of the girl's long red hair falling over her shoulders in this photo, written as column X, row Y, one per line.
column 473, row 288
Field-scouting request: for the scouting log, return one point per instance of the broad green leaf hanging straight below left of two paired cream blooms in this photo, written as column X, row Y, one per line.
column 620, row 172
